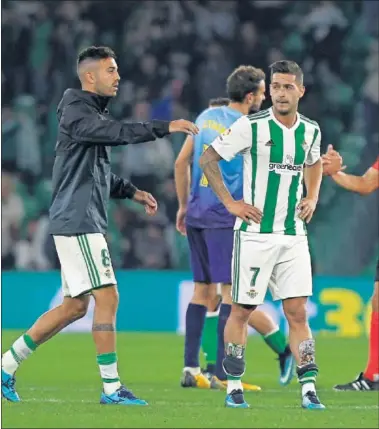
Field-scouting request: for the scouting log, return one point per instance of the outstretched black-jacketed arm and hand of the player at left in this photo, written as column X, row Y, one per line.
column 86, row 127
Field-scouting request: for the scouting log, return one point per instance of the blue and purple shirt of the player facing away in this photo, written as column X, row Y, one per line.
column 204, row 209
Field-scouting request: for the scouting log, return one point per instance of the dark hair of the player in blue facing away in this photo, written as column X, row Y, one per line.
column 242, row 81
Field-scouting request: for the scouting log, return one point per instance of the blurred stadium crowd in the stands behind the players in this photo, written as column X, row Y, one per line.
column 173, row 57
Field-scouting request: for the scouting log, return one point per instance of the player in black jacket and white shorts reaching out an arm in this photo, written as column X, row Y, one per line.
column 82, row 185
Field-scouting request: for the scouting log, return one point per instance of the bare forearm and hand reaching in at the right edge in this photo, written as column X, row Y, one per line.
column 363, row 185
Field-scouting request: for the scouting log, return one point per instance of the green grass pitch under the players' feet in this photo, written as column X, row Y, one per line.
column 60, row 388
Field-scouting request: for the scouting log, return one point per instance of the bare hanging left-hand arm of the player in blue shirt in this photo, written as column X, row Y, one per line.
column 182, row 174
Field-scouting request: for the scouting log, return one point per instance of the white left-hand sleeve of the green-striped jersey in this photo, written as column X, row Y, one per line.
column 234, row 140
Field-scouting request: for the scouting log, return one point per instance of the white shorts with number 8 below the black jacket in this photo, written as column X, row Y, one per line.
column 85, row 263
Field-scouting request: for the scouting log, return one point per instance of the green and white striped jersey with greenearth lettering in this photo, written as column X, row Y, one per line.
column 273, row 162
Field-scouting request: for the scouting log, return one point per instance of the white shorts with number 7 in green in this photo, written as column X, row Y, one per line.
column 280, row 262
